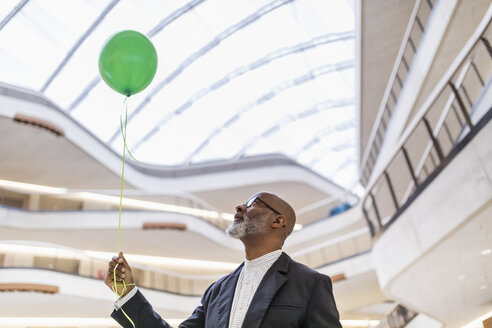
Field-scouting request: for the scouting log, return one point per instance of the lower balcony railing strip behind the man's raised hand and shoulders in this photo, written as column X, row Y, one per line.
column 80, row 264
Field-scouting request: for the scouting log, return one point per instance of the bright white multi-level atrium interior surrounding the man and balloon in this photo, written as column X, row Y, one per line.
column 371, row 118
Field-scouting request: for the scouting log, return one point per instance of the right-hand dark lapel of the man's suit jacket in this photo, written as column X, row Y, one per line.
column 270, row 284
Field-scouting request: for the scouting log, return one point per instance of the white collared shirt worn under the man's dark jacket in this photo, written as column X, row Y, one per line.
column 249, row 279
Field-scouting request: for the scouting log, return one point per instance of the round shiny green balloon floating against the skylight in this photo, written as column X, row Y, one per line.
column 128, row 62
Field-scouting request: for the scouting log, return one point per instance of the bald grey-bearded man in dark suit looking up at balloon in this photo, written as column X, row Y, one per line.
column 268, row 290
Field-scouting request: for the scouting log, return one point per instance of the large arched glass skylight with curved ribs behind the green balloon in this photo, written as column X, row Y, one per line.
column 235, row 78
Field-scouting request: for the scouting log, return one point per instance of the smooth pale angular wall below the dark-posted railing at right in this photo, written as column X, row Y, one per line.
column 431, row 254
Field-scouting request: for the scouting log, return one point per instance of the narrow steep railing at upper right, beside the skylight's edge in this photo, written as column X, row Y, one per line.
column 415, row 30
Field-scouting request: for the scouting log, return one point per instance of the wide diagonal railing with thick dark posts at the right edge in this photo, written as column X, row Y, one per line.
column 454, row 112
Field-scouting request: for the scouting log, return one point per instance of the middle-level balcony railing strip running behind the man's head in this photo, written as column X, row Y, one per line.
column 137, row 200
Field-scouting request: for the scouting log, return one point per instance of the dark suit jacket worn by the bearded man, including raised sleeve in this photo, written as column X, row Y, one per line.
column 290, row 295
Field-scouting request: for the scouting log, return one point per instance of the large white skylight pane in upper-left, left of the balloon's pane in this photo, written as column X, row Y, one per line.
column 37, row 39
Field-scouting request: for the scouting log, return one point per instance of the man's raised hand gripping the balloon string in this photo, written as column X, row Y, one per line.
column 123, row 272
